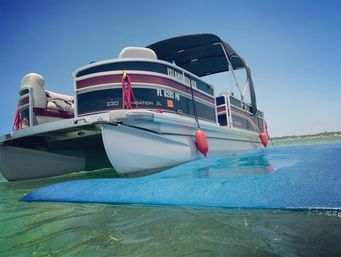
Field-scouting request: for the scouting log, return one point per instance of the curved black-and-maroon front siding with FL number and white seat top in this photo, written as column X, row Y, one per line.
column 157, row 85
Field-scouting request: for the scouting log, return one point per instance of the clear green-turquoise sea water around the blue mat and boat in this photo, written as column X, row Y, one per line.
column 69, row 229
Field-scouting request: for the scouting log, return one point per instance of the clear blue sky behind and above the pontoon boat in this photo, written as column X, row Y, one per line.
column 292, row 47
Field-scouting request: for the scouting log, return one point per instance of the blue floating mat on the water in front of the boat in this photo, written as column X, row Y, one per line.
column 286, row 178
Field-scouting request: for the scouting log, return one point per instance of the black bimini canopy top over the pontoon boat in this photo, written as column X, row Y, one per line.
column 202, row 54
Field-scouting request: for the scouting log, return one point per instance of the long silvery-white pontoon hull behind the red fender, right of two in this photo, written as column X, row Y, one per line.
column 150, row 146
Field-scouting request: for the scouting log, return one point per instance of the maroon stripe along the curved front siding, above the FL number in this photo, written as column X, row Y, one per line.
column 139, row 78
